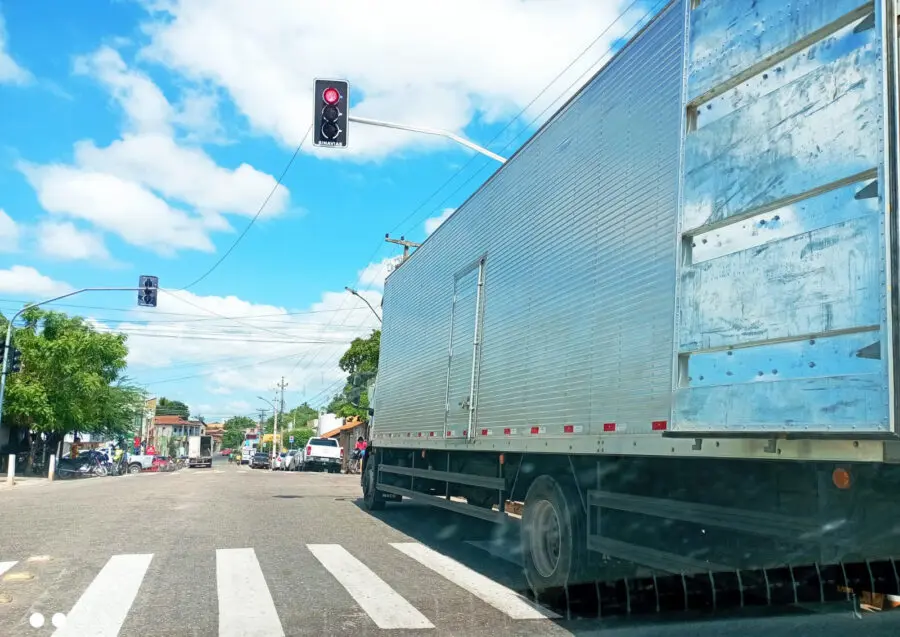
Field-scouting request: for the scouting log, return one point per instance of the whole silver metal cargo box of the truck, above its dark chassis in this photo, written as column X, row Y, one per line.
column 544, row 315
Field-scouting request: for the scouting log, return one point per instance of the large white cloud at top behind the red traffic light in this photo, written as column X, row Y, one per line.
column 406, row 60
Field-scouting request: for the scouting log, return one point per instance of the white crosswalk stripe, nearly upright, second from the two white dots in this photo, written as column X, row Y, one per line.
column 246, row 608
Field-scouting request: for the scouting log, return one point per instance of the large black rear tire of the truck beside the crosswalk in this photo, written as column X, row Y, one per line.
column 554, row 538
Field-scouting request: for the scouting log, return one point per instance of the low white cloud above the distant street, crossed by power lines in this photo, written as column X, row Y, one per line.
column 303, row 347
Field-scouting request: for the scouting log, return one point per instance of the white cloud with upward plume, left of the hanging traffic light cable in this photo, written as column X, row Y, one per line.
column 148, row 188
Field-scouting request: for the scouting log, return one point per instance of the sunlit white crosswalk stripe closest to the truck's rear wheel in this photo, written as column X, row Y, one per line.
column 485, row 589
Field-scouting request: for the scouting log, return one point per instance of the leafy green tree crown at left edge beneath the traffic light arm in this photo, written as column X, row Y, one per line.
column 71, row 378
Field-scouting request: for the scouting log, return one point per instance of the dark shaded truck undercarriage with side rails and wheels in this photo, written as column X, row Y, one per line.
column 601, row 519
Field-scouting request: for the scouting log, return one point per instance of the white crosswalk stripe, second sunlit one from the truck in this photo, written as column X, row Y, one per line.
column 386, row 607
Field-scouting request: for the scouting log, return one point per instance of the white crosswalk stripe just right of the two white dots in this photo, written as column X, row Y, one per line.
column 102, row 608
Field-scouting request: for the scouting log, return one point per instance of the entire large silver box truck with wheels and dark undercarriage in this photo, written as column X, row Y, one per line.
column 667, row 328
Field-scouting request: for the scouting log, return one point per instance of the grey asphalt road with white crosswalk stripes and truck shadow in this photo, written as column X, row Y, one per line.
column 231, row 551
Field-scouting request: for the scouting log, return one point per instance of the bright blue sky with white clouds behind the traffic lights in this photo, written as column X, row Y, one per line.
column 140, row 137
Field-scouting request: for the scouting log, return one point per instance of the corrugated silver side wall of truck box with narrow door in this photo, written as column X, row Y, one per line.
column 573, row 239
